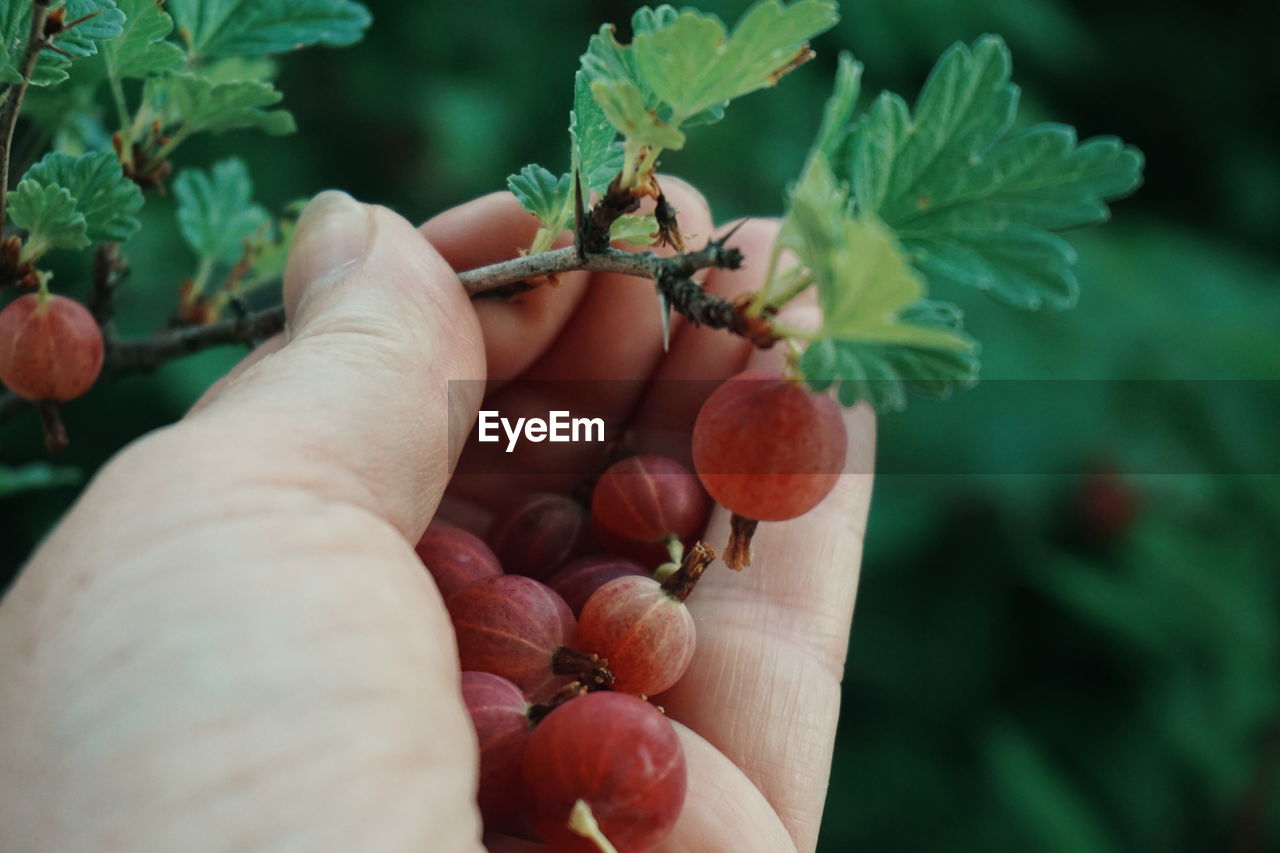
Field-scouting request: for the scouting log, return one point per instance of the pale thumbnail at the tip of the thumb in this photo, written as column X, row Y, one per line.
column 332, row 236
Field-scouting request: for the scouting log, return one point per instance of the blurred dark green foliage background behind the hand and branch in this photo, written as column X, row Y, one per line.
column 1077, row 651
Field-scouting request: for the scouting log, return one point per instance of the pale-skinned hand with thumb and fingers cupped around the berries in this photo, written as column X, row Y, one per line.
column 230, row 644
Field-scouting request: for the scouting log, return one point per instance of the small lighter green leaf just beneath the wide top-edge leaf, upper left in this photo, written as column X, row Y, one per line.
column 198, row 103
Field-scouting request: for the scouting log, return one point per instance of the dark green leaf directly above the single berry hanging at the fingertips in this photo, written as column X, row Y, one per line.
column 883, row 373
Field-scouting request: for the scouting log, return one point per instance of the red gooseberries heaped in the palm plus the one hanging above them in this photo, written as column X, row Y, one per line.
column 569, row 621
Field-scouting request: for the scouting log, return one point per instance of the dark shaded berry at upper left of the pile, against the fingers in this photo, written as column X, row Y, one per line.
column 537, row 535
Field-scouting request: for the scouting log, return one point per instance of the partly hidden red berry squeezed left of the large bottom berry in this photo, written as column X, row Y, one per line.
column 501, row 718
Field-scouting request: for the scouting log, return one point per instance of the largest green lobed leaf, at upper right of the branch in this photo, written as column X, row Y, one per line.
column 972, row 203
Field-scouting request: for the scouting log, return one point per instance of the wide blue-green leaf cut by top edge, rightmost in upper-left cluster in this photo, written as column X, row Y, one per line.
column 258, row 28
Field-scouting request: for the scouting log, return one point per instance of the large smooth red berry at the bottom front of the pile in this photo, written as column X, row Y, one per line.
column 618, row 754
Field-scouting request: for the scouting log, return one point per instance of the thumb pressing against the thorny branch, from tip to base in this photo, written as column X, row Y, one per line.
column 358, row 402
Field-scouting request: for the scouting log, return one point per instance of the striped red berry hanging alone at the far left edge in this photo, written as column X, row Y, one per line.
column 51, row 348
